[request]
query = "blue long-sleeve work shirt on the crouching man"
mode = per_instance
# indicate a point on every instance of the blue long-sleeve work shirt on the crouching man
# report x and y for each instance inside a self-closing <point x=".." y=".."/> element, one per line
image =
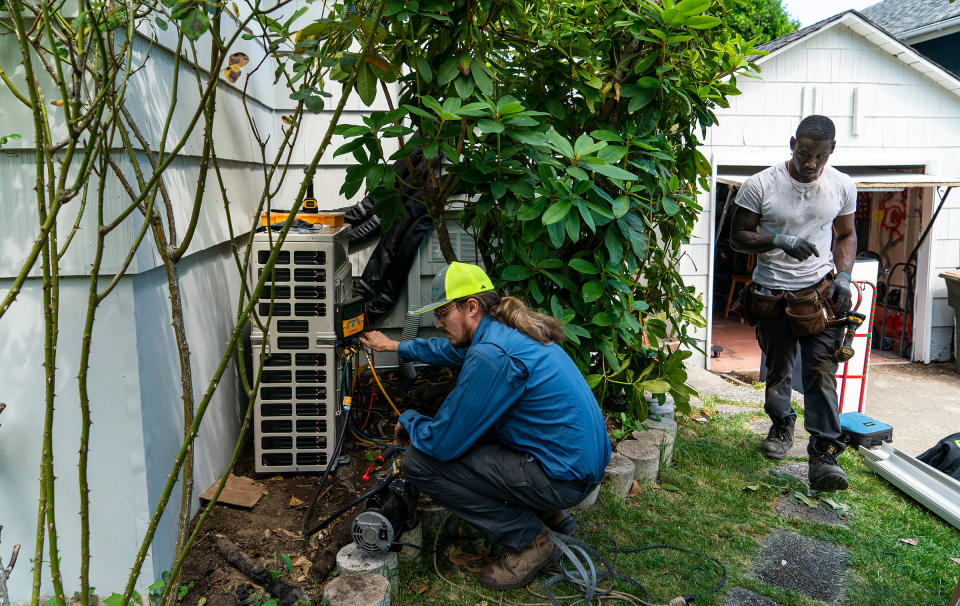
<point x="528" y="396"/>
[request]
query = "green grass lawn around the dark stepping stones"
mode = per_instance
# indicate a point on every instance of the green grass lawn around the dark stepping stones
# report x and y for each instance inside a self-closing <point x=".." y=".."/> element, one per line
<point x="709" y="510"/>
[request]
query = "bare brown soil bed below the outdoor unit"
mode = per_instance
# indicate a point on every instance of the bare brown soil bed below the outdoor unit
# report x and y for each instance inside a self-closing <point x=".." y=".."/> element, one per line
<point x="270" y="531"/>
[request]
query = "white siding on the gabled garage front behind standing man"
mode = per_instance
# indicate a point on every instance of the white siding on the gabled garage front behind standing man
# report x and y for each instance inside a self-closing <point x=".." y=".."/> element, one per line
<point x="887" y="114"/>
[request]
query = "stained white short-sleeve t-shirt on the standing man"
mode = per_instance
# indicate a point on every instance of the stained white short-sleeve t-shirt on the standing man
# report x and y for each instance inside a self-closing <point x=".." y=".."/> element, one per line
<point x="792" y="208"/>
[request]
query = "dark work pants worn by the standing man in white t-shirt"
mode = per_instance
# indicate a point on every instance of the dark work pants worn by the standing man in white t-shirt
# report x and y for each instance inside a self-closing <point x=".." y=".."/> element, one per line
<point x="780" y="347"/>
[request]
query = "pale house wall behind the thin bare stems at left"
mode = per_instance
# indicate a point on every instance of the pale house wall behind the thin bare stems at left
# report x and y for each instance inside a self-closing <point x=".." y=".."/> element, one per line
<point x="135" y="376"/>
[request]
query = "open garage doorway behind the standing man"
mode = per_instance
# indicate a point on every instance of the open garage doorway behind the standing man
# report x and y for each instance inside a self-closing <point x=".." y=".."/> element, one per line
<point x="894" y="207"/>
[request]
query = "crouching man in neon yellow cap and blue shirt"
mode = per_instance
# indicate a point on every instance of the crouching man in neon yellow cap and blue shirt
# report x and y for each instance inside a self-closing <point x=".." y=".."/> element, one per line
<point x="518" y="439"/>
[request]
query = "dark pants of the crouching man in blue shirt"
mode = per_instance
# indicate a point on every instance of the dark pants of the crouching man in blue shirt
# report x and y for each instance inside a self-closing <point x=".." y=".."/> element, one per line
<point x="495" y="489"/>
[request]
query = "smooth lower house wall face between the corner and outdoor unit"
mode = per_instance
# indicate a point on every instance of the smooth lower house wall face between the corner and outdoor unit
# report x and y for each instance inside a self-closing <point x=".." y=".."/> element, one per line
<point x="210" y="287"/>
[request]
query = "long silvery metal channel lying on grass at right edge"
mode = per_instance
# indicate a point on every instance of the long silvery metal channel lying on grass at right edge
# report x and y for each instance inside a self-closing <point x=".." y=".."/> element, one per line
<point x="932" y="488"/>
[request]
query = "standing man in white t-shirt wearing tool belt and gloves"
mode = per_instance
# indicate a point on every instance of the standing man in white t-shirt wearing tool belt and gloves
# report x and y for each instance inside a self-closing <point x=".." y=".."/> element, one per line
<point x="792" y="215"/>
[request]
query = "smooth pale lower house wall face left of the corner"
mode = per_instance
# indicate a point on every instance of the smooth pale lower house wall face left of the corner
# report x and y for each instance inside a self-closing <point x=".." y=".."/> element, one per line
<point x="118" y="487"/>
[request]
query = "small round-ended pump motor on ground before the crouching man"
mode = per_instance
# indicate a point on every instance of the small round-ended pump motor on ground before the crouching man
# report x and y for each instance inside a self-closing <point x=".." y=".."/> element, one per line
<point x="388" y="514"/>
